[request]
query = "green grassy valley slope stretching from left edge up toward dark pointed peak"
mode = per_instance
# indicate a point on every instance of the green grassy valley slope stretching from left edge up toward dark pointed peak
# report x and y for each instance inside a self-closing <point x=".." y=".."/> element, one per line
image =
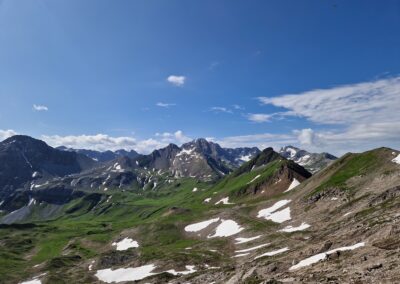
<point x="87" y="230"/>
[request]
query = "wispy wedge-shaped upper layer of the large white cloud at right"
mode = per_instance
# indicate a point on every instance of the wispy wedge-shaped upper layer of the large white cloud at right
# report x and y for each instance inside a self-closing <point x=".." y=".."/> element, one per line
<point x="363" y="102"/>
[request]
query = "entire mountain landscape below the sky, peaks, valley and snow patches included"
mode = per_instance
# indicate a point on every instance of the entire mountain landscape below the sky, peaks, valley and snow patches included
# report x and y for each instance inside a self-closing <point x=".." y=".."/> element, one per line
<point x="197" y="213"/>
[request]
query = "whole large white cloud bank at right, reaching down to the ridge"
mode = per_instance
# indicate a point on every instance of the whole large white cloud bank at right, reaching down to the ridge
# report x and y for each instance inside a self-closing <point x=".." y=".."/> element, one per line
<point x="354" y="117"/>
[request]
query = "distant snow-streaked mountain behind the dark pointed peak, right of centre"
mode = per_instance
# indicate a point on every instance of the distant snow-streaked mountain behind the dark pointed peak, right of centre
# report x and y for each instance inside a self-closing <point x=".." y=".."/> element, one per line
<point x="313" y="162"/>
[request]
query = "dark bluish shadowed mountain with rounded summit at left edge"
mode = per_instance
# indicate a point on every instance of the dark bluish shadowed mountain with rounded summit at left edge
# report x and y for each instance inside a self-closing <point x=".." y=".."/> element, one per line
<point x="24" y="159"/>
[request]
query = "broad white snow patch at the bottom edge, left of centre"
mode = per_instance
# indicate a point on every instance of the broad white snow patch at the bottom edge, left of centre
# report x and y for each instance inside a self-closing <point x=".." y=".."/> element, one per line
<point x="125" y="274"/>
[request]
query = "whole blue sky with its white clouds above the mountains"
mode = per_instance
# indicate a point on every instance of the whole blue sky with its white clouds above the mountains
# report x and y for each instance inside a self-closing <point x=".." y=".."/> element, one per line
<point x="323" y="75"/>
